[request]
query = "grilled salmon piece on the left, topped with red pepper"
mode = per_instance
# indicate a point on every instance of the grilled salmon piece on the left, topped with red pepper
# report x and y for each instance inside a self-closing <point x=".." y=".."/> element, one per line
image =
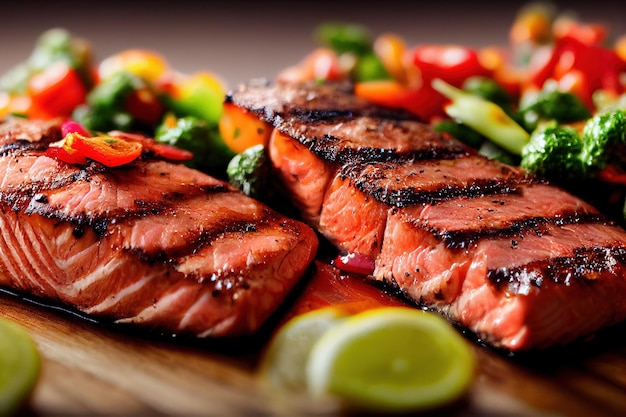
<point x="153" y="243"/>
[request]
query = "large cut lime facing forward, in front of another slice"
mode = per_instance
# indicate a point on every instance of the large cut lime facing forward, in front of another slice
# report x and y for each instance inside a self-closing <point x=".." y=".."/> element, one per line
<point x="391" y="359"/>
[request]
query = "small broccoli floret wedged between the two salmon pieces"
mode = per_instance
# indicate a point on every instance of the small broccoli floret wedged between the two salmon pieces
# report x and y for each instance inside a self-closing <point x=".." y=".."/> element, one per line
<point x="248" y="171"/>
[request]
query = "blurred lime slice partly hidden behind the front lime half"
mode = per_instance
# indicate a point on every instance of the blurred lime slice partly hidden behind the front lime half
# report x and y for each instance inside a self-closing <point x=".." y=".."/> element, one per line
<point x="283" y="363"/>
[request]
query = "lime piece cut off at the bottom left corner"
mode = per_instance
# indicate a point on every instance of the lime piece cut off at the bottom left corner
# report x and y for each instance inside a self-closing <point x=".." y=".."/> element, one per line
<point x="19" y="366"/>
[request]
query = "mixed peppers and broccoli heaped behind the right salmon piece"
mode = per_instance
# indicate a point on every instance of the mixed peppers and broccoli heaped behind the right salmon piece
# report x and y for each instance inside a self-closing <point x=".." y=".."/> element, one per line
<point x="551" y="100"/>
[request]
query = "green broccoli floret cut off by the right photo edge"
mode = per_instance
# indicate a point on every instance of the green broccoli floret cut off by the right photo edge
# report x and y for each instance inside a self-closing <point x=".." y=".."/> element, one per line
<point x="604" y="140"/>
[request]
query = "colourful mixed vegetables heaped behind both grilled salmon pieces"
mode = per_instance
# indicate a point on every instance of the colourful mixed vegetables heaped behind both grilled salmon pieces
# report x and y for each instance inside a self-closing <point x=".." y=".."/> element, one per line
<point x="552" y="99"/>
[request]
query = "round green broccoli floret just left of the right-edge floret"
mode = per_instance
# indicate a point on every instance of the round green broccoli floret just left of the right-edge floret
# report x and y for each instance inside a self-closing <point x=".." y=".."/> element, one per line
<point x="554" y="152"/>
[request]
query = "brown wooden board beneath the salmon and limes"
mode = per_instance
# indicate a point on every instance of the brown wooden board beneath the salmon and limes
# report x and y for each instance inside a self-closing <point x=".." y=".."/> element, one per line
<point x="92" y="369"/>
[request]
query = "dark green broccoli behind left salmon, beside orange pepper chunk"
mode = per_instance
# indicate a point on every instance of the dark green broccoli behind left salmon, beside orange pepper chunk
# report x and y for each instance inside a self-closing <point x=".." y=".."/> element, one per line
<point x="198" y="136"/>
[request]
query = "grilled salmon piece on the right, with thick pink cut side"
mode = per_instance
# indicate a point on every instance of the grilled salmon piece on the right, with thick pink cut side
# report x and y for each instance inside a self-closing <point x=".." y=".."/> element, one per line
<point x="519" y="262"/>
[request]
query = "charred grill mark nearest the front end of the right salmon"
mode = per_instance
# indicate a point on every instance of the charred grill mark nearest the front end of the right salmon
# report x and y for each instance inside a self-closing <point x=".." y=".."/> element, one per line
<point x="586" y="264"/>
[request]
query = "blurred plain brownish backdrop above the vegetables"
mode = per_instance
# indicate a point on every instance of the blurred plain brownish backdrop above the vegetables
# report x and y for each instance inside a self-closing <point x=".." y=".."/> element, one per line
<point x="241" y="40"/>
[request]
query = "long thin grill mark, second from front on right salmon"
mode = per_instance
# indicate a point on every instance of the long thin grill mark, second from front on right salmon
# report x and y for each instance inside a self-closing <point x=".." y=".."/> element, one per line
<point x="462" y="239"/>
